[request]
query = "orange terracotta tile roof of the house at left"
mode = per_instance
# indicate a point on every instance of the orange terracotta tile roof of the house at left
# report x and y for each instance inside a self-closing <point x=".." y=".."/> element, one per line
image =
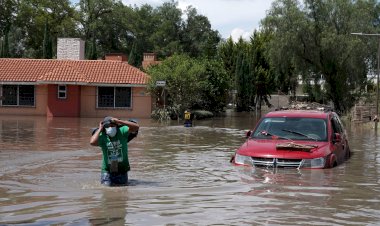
<point x="70" y="71"/>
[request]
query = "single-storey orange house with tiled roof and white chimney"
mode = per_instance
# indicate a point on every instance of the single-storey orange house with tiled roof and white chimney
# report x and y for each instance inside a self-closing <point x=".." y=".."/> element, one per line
<point x="73" y="87"/>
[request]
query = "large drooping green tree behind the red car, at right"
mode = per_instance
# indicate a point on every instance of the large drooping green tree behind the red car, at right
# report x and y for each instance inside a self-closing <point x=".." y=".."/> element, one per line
<point x="313" y="40"/>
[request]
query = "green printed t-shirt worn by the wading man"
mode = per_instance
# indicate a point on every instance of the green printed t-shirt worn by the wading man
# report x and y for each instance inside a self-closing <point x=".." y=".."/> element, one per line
<point x="117" y="150"/>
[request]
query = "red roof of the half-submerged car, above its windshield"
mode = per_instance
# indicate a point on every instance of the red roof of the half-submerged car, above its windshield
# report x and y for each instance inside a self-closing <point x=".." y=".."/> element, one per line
<point x="298" y="113"/>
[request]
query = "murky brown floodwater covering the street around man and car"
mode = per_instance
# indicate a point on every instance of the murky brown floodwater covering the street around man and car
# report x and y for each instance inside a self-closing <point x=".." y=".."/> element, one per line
<point x="49" y="175"/>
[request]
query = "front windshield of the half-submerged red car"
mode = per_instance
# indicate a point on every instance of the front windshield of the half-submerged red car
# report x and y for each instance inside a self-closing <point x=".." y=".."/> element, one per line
<point x="292" y="129"/>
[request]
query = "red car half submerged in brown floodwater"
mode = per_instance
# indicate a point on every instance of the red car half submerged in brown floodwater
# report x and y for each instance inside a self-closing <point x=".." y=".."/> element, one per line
<point x="295" y="139"/>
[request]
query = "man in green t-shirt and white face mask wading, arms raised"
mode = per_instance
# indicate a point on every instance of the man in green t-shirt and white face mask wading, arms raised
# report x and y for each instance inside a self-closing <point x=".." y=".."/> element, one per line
<point x="112" y="137"/>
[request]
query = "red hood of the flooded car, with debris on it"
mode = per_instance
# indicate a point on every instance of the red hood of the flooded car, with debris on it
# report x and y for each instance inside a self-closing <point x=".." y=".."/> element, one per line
<point x="269" y="149"/>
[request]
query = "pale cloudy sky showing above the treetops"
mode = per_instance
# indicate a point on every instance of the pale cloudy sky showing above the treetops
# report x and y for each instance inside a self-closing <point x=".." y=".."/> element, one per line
<point x="230" y="17"/>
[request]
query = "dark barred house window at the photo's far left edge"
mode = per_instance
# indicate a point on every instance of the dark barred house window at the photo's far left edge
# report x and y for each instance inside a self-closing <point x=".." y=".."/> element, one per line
<point x="18" y="95"/>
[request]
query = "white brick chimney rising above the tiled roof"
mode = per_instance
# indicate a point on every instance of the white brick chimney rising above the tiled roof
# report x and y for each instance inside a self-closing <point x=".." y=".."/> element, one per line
<point x="70" y="49"/>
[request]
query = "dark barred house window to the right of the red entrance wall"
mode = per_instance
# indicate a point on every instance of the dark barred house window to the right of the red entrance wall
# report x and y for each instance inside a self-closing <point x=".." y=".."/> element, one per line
<point x="114" y="97"/>
